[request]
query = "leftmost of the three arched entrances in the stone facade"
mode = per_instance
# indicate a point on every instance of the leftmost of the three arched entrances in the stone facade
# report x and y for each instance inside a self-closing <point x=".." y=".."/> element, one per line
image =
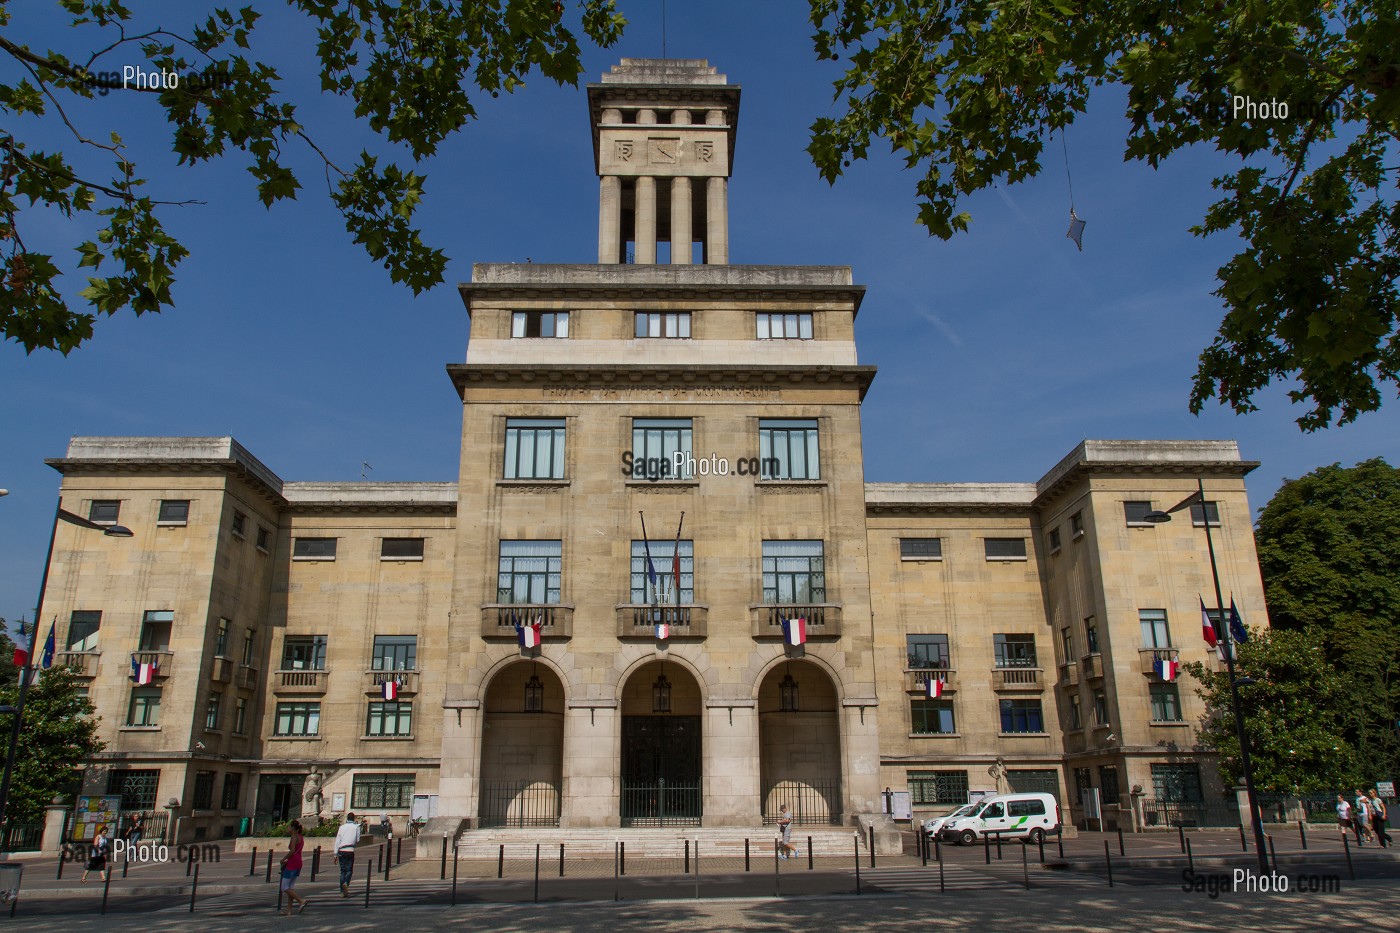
<point x="523" y="747"/>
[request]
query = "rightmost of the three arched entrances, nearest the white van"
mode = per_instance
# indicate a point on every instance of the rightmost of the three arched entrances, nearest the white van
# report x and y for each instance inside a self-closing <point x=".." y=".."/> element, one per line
<point x="801" y="745"/>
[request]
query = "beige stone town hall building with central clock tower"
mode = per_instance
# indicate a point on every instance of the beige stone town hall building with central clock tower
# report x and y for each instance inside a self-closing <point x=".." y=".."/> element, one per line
<point x="275" y="611"/>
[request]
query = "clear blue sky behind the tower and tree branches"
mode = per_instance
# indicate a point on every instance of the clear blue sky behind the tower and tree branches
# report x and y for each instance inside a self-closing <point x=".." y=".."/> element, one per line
<point x="999" y="351"/>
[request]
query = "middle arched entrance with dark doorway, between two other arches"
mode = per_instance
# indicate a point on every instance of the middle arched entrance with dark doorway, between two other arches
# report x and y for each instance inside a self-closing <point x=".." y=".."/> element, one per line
<point x="661" y="761"/>
